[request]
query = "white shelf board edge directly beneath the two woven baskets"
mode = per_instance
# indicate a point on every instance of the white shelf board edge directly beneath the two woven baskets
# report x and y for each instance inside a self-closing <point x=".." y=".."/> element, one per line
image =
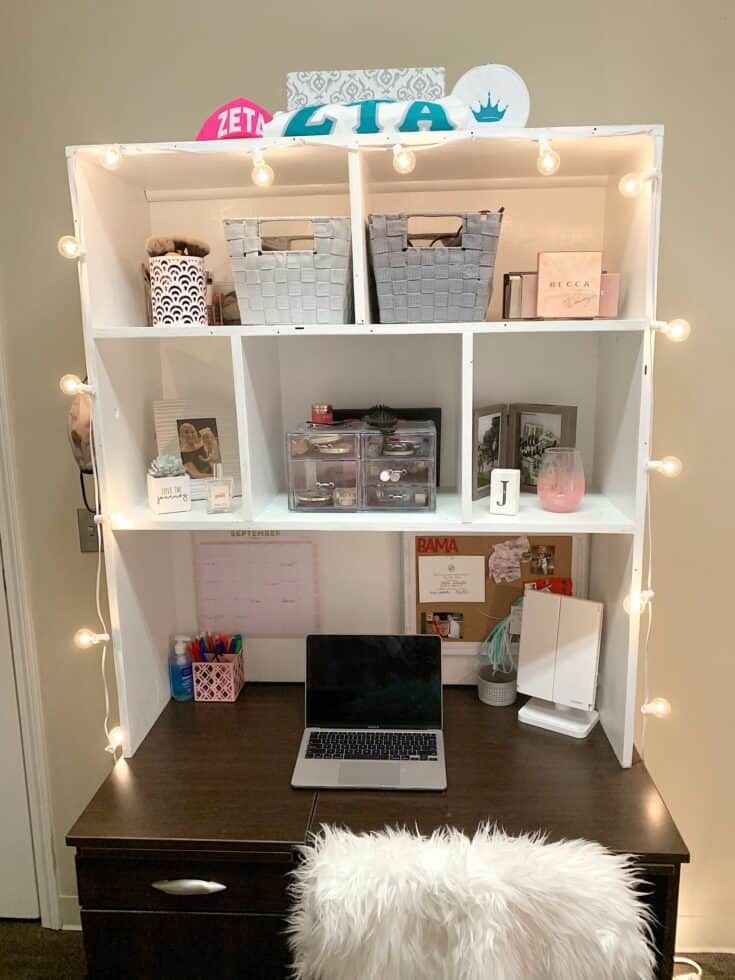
<point x="369" y="329"/>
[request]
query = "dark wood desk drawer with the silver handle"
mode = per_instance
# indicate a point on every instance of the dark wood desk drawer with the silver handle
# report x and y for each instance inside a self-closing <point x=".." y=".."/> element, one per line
<point x="185" y="883"/>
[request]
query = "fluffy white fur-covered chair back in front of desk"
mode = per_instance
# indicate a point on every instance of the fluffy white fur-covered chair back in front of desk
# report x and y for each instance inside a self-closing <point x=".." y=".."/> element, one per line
<point x="396" y="906"/>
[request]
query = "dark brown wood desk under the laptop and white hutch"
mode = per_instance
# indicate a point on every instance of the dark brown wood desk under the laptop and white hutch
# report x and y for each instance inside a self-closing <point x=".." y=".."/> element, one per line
<point x="207" y="796"/>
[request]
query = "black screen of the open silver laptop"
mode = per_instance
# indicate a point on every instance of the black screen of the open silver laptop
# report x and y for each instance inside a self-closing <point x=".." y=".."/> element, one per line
<point x="373" y="682"/>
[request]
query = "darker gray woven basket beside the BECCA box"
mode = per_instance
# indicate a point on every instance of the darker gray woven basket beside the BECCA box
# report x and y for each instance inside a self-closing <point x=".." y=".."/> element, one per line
<point x="438" y="284"/>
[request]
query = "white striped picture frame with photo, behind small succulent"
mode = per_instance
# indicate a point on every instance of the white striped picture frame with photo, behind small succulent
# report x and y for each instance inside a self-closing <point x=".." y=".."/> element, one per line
<point x="201" y="432"/>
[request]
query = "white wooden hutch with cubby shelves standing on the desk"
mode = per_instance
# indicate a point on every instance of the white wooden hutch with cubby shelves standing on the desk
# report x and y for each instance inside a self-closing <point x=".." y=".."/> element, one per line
<point x="273" y="374"/>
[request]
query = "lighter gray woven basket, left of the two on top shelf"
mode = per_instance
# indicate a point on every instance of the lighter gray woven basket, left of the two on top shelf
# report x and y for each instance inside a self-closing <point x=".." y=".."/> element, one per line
<point x="288" y="287"/>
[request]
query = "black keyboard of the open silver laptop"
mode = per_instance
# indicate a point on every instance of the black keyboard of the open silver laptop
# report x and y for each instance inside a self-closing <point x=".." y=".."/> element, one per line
<point x="391" y="746"/>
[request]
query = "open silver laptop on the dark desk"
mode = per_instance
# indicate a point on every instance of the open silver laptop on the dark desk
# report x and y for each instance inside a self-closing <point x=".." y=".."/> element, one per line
<point x="373" y="713"/>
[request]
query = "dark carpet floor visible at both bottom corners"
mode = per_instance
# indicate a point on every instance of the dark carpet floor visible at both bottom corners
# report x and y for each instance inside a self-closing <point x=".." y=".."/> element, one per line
<point x="28" y="952"/>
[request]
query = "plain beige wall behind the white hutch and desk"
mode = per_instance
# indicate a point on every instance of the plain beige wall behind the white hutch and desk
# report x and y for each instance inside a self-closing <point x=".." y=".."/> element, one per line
<point x="92" y="72"/>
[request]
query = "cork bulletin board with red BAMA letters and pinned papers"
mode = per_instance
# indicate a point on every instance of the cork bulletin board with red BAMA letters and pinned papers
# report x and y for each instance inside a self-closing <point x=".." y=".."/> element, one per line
<point x="450" y="588"/>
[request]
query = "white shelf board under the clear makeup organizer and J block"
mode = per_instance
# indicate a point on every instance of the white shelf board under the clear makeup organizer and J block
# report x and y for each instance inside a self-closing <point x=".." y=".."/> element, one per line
<point x="597" y="515"/>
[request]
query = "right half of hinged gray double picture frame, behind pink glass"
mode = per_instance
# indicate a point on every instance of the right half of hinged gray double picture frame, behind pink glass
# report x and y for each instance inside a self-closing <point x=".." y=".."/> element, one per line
<point x="534" y="429"/>
